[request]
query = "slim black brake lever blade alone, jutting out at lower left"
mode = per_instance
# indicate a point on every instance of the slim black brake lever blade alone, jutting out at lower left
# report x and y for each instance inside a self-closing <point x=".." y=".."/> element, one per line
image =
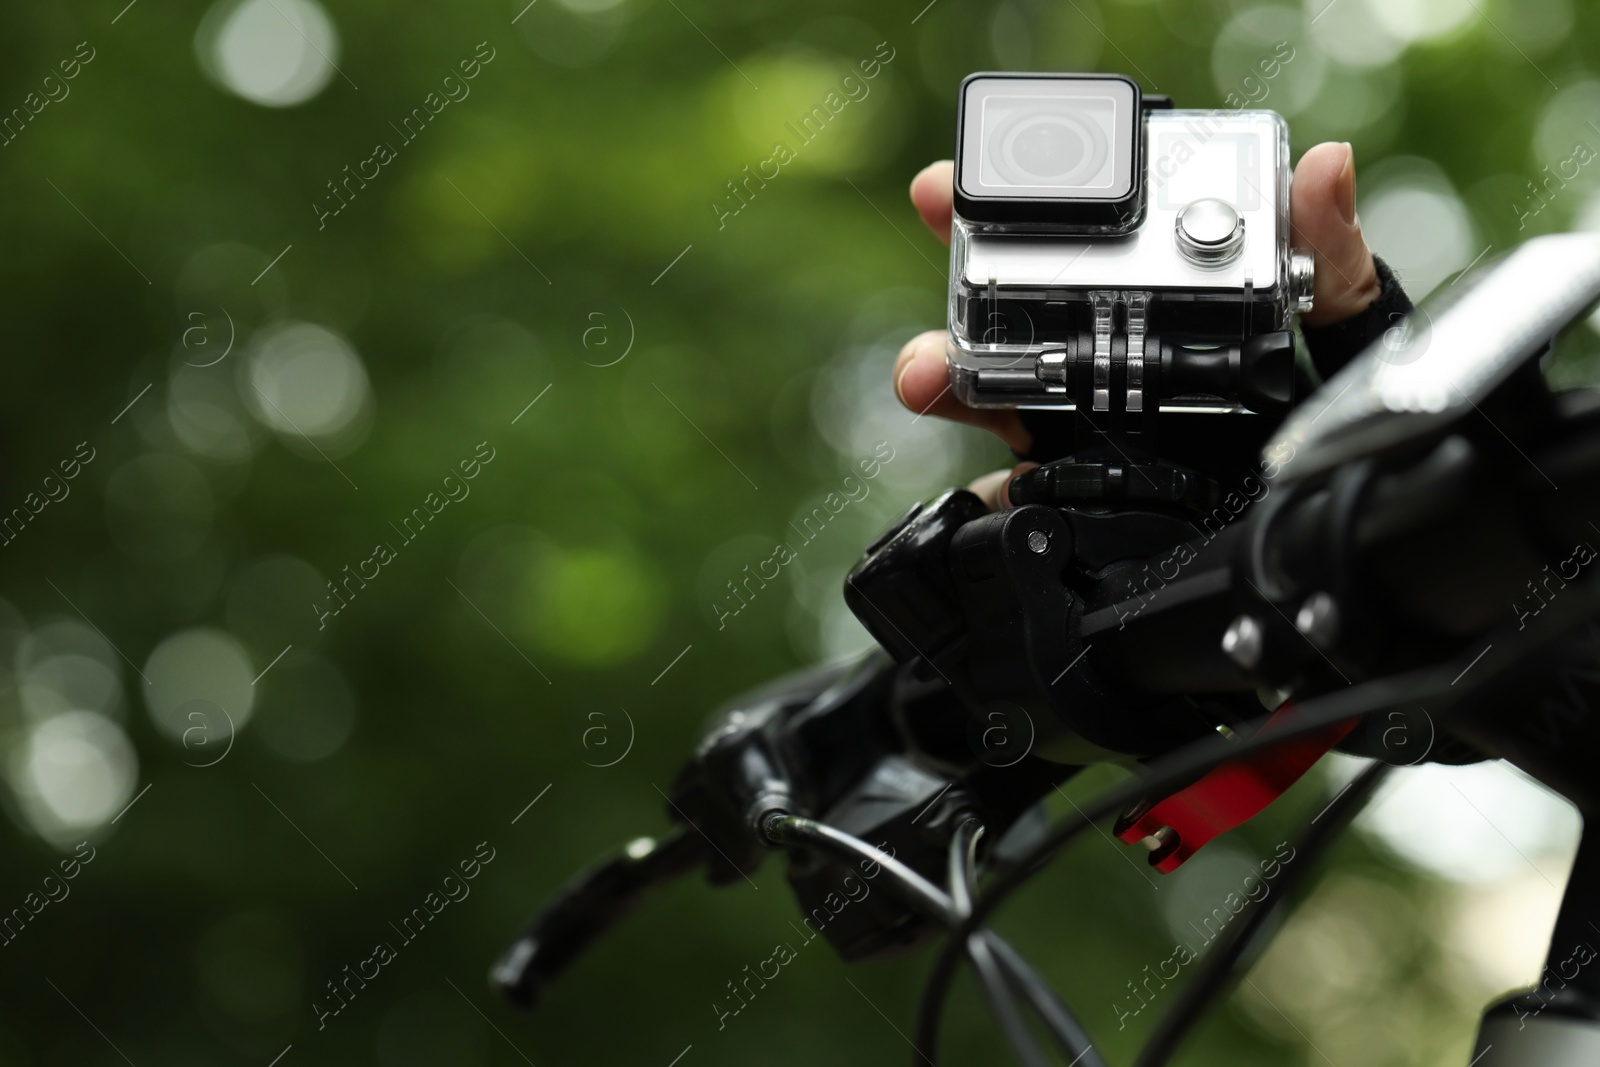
<point x="586" y="908"/>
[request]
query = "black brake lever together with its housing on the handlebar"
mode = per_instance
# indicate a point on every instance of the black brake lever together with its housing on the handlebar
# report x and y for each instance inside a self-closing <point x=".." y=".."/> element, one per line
<point x="820" y="745"/>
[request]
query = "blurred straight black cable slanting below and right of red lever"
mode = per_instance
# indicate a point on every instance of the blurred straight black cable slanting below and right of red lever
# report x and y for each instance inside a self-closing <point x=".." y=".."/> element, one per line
<point x="1217" y="972"/>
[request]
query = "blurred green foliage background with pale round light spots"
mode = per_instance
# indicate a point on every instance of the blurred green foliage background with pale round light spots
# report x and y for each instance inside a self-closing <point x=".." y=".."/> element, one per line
<point x="268" y="390"/>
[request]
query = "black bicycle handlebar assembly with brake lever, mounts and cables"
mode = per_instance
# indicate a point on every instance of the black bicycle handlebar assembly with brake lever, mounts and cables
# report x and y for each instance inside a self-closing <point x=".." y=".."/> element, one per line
<point x="1367" y="578"/>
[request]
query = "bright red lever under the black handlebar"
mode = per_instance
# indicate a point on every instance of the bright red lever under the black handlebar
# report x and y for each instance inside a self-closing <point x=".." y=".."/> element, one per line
<point x="1228" y="796"/>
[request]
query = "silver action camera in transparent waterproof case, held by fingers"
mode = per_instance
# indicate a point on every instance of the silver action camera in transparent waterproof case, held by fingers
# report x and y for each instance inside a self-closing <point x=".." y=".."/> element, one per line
<point x="1113" y="254"/>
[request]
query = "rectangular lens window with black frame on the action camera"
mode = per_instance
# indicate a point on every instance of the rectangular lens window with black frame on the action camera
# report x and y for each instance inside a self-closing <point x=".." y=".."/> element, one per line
<point x="1049" y="138"/>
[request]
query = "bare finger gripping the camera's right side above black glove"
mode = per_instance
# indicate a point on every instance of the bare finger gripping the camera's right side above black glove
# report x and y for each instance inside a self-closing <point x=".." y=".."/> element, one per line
<point x="1322" y="215"/>
